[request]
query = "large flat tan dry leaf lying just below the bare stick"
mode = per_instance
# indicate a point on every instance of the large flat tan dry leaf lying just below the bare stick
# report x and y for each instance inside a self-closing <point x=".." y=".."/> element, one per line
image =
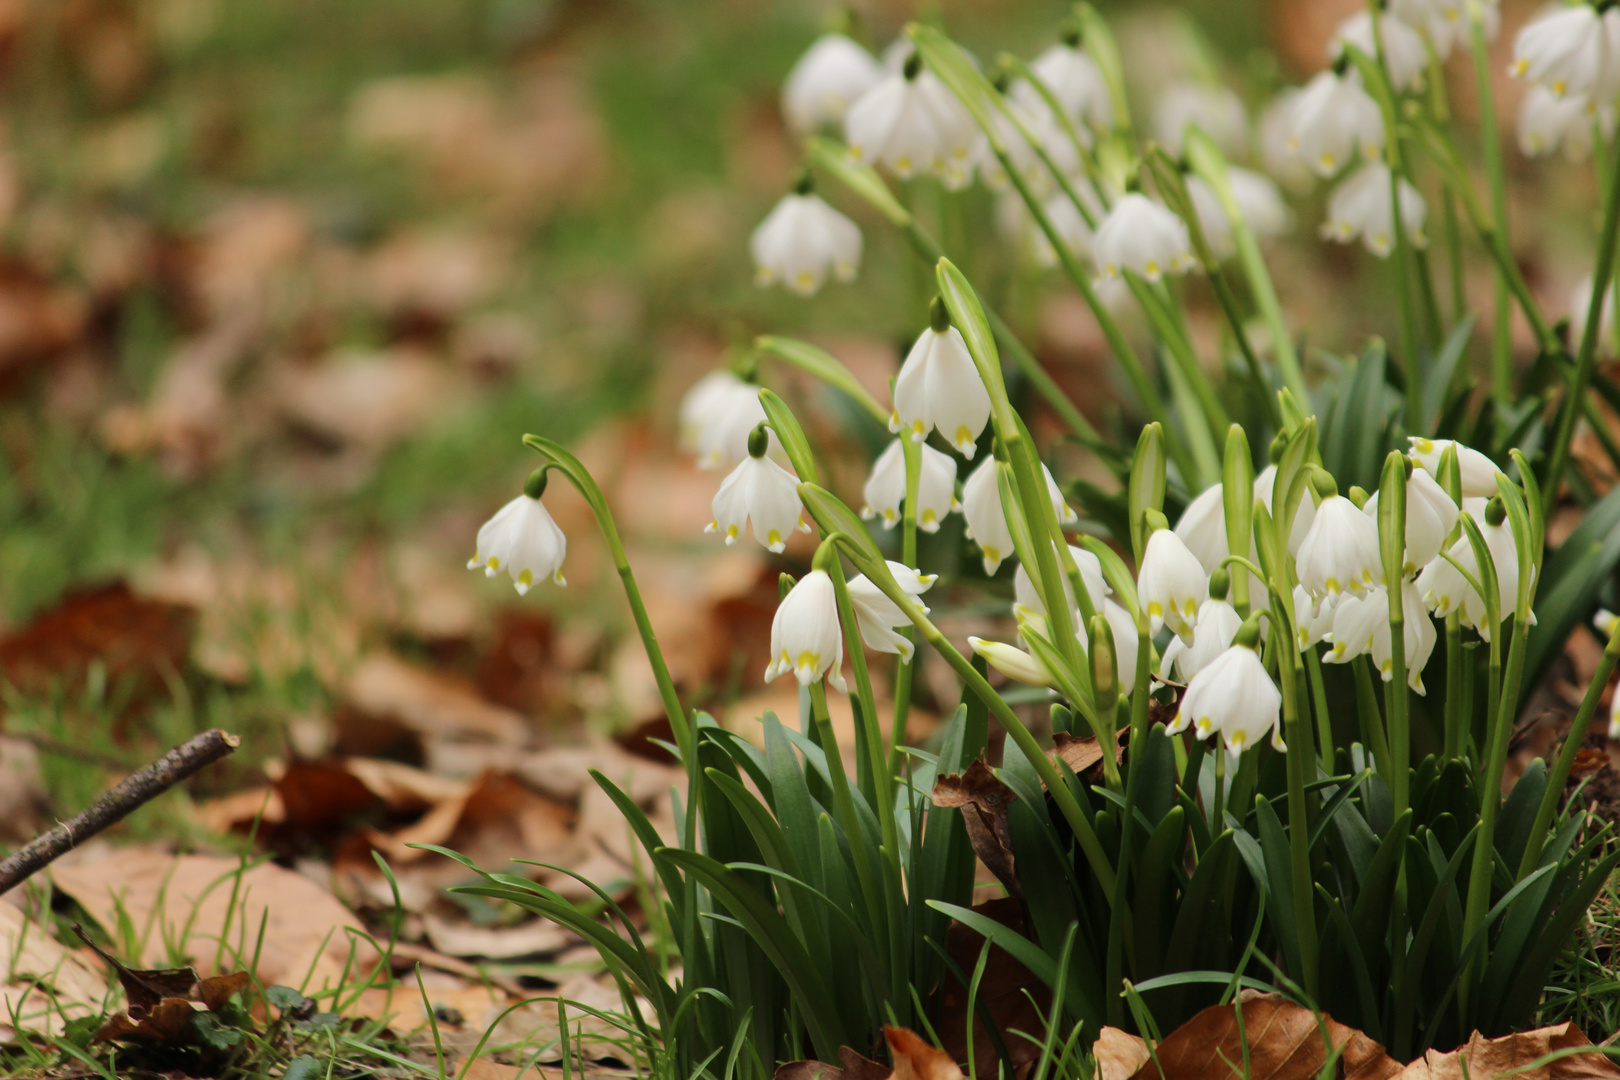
<point x="305" y="927"/>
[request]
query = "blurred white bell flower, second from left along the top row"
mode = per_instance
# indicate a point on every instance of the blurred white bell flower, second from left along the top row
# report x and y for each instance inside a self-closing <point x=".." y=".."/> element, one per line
<point x="911" y="127"/>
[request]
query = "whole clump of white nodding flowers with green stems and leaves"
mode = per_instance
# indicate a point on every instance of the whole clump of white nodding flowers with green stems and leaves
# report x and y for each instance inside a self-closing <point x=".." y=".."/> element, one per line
<point x="1292" y="631"/>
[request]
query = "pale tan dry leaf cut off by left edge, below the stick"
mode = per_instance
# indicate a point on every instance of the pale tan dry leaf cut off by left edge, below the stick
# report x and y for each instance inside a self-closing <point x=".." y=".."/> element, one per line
<point x="28" y="955"/>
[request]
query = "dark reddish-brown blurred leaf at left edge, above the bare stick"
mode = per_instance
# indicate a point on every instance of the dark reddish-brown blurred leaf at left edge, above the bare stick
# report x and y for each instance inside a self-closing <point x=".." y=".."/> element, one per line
<point x="132" y="637"/>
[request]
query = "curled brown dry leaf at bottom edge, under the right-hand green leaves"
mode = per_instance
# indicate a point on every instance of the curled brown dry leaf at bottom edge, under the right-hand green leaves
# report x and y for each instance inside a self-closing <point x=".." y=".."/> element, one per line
<point x="1284" y="1045"/>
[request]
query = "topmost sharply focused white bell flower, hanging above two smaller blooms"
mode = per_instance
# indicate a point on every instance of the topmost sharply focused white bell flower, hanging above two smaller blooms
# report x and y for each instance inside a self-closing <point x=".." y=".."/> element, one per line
<point x="940" y="388"/>
